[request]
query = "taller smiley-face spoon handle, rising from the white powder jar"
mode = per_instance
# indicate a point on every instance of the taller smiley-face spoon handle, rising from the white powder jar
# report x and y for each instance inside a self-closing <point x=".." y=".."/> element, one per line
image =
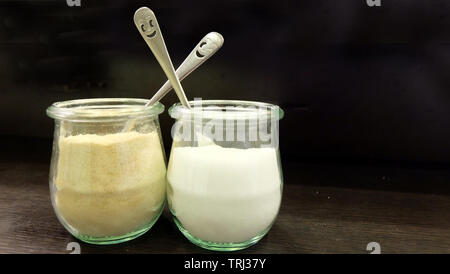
<point x="146" y="23"/>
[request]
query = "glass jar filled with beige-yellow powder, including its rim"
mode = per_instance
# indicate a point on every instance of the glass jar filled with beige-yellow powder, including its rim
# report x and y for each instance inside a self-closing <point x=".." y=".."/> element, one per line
<point x="108" y="168"/>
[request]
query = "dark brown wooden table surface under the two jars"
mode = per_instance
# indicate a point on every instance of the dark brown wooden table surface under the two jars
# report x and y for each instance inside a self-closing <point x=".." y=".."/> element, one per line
<point x="312" y="219"/>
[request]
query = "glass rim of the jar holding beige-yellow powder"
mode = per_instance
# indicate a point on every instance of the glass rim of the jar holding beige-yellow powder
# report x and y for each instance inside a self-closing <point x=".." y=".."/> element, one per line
<point x="103" y="109"/>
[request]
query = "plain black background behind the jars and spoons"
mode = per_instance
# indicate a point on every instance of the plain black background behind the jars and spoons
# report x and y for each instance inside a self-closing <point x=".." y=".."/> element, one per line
<point x="365" y="86"/>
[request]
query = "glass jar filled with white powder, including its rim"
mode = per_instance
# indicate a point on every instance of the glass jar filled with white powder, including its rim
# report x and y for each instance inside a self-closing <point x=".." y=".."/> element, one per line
<point x="224" y="173"/>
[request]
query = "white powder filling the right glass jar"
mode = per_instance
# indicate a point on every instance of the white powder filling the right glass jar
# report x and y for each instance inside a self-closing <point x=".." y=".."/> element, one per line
<point x="224" y="195"/>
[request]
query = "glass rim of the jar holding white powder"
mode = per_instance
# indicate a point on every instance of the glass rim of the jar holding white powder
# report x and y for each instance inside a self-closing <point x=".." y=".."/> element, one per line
<point x="226" y="109"/>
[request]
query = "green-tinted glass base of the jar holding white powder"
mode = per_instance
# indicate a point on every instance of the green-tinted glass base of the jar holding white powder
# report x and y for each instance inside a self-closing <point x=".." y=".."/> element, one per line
<point x="219" y="246"/>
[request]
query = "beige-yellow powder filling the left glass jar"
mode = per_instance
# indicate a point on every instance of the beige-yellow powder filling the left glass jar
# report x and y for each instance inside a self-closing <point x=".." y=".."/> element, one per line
<point x="110" y="185"/>
